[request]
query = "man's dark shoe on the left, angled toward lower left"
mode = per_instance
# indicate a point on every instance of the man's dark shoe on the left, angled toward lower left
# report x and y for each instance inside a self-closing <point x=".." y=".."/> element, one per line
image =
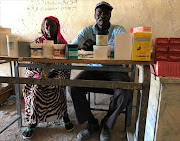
<point x="86" y="133"/>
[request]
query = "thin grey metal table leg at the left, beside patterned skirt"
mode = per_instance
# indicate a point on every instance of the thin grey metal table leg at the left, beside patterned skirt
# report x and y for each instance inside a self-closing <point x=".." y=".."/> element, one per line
<point x="18" y="95"/>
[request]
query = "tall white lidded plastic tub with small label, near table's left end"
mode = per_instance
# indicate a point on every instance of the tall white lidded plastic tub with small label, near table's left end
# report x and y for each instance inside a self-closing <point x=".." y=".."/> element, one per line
<point x="12" y="45"/>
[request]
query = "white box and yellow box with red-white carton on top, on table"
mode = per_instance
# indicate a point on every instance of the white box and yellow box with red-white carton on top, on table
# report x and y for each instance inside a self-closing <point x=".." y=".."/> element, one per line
<point x="135" y="46"/>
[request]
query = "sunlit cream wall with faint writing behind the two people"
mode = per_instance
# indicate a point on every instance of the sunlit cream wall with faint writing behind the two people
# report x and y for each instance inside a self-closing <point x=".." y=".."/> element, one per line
<point x="25" y="16"/>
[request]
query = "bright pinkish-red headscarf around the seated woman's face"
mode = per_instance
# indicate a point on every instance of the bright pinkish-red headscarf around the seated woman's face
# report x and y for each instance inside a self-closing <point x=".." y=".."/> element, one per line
<point x="61" y="38"/>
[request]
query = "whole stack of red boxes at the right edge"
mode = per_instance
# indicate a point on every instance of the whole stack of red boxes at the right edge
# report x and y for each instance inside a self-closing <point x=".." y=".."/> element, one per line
<point x="167" y="57"/>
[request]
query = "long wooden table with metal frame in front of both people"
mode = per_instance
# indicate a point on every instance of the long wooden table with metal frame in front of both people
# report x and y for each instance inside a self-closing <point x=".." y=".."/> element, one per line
<point x="47" y="64"/>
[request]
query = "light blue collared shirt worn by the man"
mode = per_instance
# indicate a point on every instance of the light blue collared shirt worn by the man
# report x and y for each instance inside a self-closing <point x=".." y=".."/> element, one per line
<point x="89" y="32"/>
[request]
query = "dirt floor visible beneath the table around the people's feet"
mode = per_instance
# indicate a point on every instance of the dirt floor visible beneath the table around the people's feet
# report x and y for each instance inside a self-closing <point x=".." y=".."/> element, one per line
<point x="52" y="131"/>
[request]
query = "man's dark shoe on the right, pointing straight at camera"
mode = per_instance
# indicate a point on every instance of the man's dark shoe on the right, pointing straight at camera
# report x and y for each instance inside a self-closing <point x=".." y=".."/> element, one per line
<point x="105" y="134"/>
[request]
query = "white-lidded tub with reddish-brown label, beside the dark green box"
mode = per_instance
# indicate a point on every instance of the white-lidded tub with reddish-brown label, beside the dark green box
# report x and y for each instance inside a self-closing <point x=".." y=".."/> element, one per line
<point x="59" y="51"/>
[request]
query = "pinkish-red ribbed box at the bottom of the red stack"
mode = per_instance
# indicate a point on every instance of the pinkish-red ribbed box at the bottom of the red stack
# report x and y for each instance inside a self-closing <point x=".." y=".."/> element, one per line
<point x="164" y="68"/>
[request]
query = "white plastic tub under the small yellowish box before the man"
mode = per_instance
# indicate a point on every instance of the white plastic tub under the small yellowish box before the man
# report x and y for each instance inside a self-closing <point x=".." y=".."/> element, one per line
<point x="101" y="52"/>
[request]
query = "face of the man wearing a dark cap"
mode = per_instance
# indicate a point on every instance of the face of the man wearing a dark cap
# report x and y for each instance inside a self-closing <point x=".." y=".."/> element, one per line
<point x="102" y="16"/>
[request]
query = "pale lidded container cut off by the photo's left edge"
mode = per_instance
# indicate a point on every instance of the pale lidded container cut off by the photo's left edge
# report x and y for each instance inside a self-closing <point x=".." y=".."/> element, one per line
<point x="3" y="40"/>
